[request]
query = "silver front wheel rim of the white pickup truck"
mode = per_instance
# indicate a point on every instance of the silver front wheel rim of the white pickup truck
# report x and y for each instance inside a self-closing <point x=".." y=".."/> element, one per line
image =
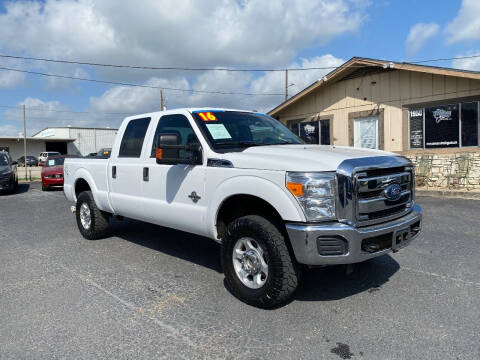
<point x="249" y="263"/>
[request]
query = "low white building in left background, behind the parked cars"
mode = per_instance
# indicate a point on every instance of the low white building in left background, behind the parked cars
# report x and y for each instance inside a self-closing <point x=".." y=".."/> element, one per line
<point x="65" y="140"/>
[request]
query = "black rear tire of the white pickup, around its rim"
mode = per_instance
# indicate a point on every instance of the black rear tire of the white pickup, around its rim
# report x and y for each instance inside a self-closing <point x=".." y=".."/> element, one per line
<point x="100" y="220"/>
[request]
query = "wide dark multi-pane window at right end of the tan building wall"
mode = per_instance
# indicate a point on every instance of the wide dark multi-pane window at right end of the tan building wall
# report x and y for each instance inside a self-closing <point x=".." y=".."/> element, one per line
<point x="444" y="126"/>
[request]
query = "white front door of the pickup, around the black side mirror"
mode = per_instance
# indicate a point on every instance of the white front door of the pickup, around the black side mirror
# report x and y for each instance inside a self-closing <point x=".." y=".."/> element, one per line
<point x="174" y="195"/>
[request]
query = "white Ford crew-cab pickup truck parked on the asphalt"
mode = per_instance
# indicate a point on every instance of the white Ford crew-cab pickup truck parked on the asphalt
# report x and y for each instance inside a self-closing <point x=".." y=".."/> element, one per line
<point x="243" y="179"/>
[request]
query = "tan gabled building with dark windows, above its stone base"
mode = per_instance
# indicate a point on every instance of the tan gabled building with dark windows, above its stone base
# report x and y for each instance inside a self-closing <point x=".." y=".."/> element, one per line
<point x="387" y="105"/>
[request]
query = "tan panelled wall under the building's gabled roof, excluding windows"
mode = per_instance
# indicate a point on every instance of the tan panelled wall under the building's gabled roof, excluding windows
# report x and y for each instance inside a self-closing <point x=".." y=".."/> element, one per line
<point x="393" y="91"/>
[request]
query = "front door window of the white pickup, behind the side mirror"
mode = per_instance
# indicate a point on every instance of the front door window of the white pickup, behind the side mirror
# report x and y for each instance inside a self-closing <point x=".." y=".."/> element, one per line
<point x="175" y="124"/>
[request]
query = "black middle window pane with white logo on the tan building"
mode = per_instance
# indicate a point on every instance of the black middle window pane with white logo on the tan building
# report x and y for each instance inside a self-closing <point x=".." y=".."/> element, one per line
<point x="442" y="126"/>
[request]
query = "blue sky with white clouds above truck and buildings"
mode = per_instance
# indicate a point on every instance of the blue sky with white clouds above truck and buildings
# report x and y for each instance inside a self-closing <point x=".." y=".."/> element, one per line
<point x="240" y="34"/>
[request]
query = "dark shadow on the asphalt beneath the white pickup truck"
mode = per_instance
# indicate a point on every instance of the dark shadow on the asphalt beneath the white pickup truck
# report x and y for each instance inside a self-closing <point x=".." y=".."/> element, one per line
<point x="319" y="284"/>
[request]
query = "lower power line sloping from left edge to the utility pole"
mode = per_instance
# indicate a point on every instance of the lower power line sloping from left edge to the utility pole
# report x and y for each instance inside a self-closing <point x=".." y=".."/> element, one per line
<point x="139" y="85"/>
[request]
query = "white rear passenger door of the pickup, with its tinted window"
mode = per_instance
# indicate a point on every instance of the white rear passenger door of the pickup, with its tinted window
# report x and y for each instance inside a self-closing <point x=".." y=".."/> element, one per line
<point x="125" y="170"/>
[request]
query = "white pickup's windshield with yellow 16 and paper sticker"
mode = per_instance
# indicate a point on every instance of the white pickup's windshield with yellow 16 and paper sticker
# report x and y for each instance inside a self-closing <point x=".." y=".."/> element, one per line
<point x="242" y="129"/>
